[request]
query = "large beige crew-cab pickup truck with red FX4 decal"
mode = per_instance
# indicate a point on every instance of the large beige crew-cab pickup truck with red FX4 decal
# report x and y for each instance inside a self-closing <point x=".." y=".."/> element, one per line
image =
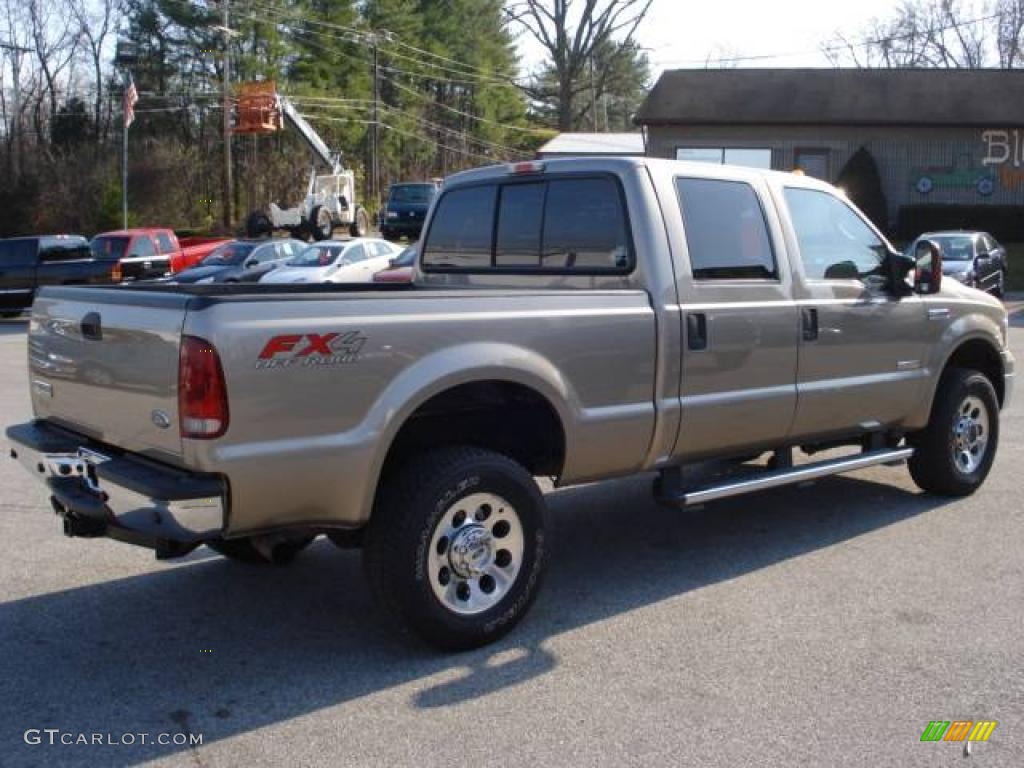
<point x="580" y="320"/>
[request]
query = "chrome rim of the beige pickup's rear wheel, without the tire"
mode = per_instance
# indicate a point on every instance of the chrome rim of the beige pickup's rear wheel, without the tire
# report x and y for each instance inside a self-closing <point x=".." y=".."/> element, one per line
<point x="476" y="553"/>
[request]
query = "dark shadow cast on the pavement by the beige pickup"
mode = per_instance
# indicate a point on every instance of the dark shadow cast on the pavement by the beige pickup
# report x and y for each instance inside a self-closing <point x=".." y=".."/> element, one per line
<point x="219" y="649"/>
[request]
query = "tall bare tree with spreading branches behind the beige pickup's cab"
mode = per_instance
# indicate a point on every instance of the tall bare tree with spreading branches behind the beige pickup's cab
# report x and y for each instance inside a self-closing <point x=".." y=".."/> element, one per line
<point x="571" y="33"/>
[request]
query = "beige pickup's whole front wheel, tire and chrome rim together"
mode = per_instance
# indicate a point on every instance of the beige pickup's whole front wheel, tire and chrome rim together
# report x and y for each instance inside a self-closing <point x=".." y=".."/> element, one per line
<point x="954" y="454"/>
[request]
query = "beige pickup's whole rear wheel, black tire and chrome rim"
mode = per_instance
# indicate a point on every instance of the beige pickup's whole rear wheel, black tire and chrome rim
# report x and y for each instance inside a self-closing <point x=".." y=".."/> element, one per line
<point x="456" y="546"/>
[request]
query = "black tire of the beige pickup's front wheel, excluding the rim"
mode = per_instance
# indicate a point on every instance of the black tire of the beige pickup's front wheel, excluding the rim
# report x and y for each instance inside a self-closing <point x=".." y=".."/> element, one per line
<point x="933" y="465"/>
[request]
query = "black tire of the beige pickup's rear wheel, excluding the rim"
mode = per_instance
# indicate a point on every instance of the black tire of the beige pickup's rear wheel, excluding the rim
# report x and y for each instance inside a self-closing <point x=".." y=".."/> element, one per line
<point x="413" y="502"/>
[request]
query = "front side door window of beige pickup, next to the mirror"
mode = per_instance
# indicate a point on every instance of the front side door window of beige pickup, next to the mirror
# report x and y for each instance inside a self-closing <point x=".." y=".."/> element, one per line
<point x="835" y="242"/>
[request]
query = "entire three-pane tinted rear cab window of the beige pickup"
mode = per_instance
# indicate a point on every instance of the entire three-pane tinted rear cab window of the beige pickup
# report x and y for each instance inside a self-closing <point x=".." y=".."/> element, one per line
<point x="563" y="225"/>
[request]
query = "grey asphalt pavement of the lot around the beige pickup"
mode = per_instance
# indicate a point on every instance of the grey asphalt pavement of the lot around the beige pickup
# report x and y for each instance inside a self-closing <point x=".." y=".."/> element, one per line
<point x="821" y="626"/>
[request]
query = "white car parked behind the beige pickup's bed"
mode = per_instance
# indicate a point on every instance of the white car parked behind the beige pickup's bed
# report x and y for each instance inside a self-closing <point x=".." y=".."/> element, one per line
<point x="336" y="262"/>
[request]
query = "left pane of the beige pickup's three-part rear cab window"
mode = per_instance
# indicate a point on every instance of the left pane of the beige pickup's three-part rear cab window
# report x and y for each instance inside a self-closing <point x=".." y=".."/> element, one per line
<point x="460" y="234"/>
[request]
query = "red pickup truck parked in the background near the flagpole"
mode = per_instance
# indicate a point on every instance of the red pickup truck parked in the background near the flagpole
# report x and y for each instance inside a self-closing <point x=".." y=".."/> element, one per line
<point x="145" y="253"/>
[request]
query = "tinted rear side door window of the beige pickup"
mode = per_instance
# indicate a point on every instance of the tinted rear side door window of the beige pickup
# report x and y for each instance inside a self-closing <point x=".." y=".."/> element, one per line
<point x="727" y="232"/>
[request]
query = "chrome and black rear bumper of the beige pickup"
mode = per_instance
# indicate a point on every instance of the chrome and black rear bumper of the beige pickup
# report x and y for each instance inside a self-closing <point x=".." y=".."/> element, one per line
<point x="123" y="497"/>
